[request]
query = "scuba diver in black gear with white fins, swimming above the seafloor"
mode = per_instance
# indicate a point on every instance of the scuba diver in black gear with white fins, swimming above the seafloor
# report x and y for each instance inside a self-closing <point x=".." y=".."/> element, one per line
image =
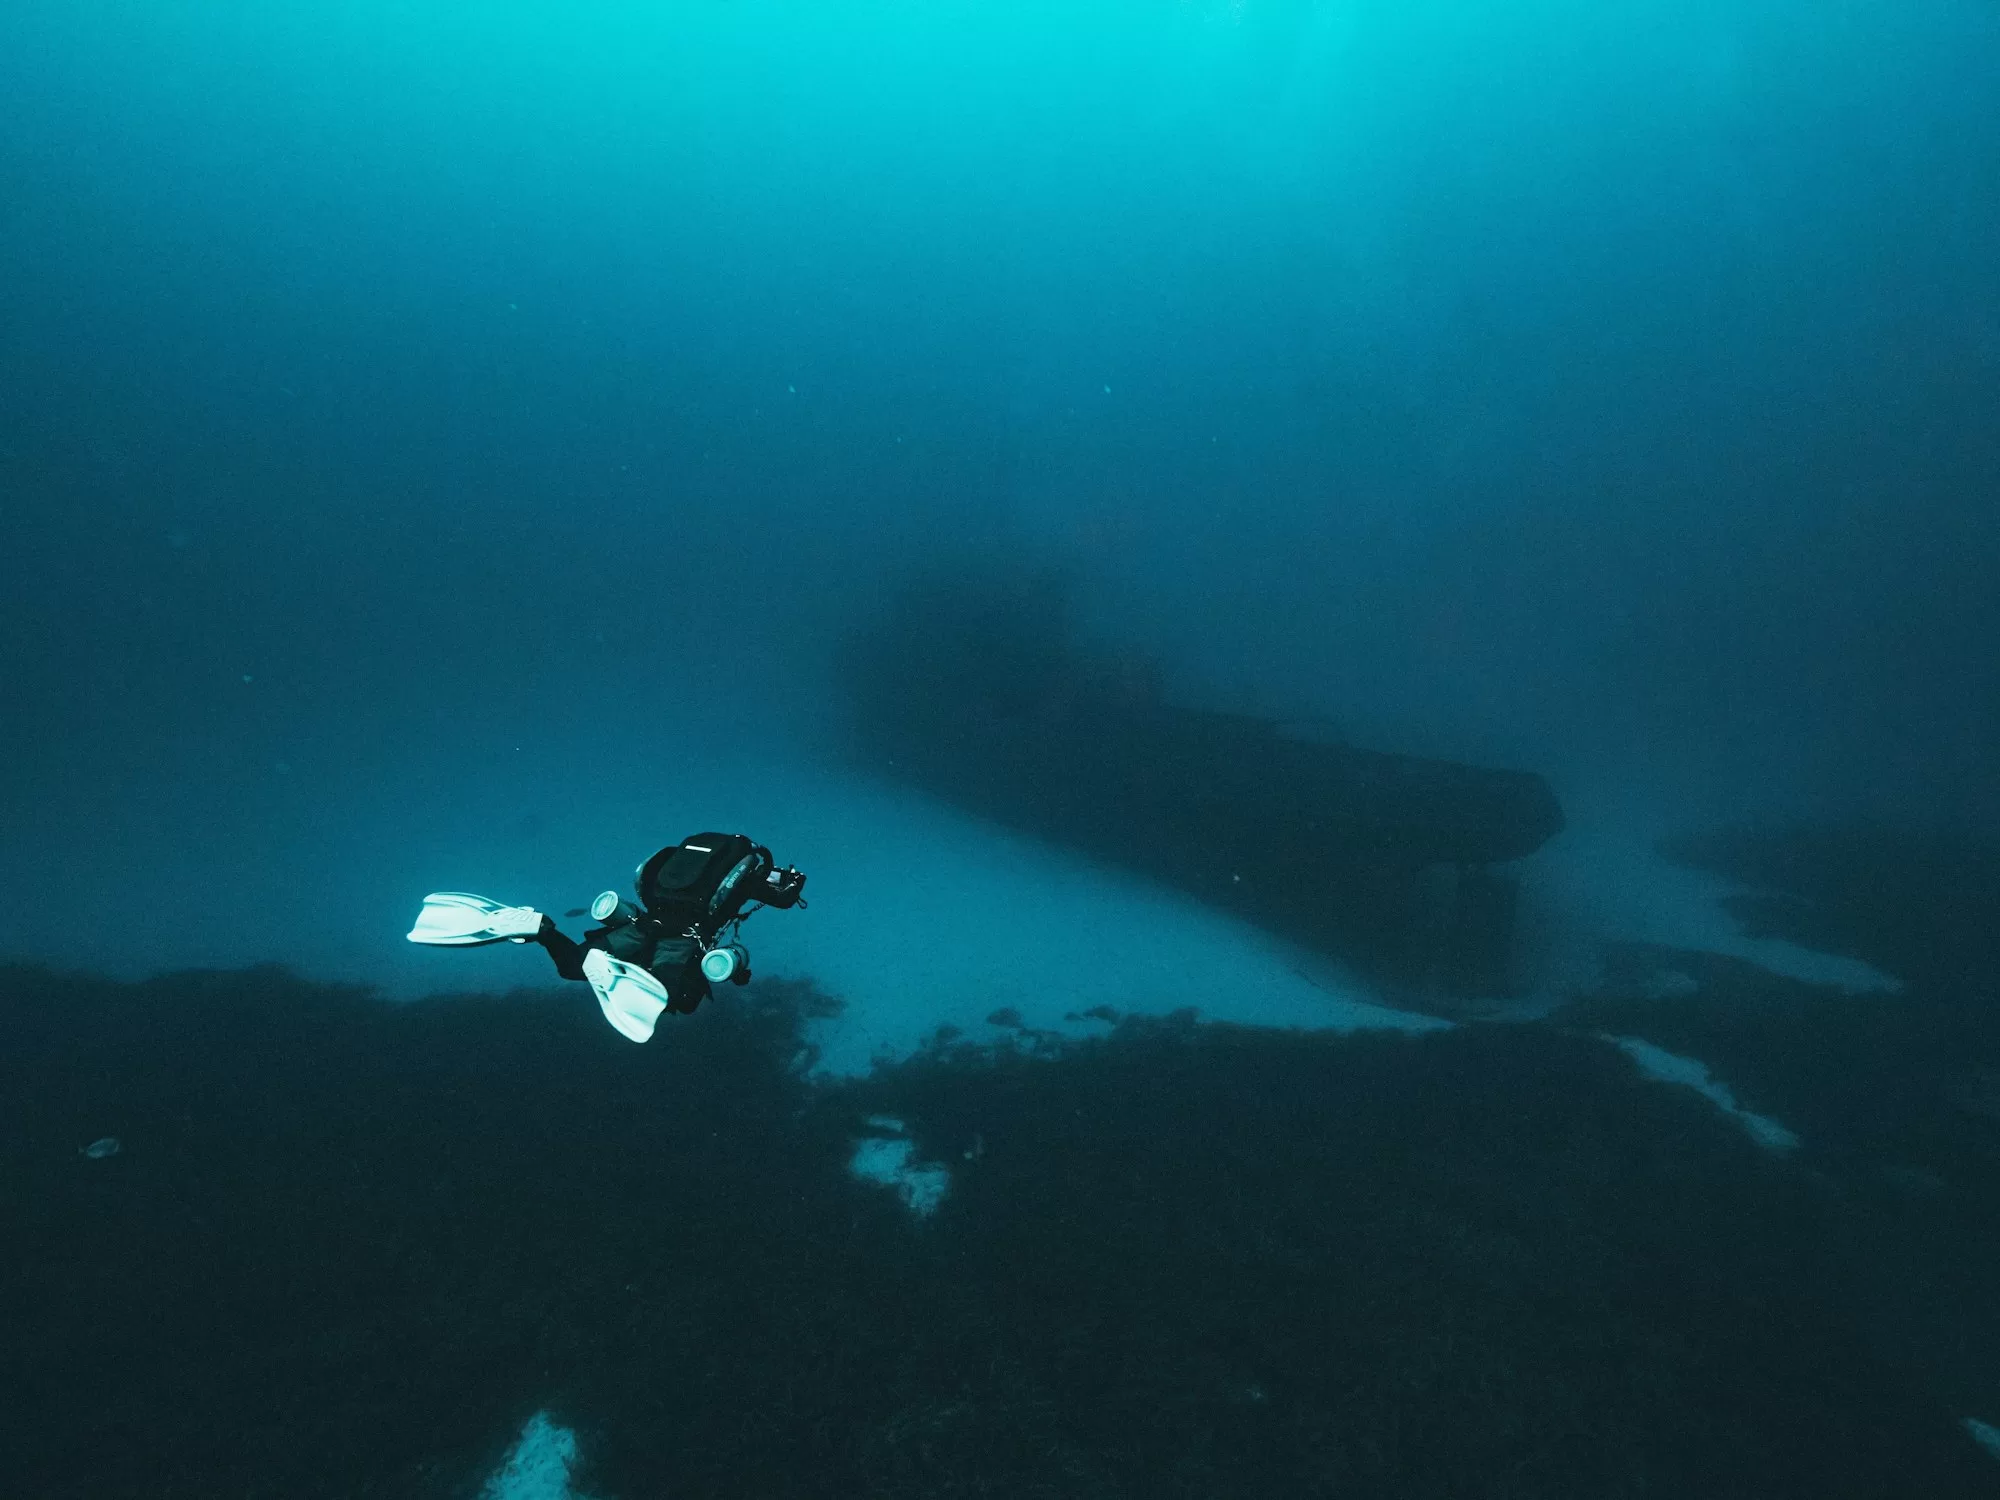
<point x="651" y="957"/>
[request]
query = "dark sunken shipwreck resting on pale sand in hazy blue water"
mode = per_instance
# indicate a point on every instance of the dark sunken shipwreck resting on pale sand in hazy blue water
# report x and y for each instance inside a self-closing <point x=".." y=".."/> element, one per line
<point x="977" y="693"/>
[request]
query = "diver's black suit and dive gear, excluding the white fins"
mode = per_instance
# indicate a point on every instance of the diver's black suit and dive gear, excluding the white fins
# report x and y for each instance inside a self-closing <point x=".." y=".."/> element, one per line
<point x="691" y="891"/>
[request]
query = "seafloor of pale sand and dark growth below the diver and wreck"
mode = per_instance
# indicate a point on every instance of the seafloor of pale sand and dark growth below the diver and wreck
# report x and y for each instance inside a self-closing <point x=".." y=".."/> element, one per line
<point x="1707" y="1211"/>
